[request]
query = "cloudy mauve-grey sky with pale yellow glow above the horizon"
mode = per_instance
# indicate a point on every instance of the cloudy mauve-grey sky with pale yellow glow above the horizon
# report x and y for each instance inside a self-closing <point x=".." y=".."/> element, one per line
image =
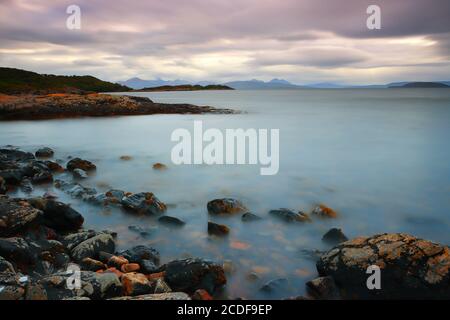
<point x="302" y="41"/>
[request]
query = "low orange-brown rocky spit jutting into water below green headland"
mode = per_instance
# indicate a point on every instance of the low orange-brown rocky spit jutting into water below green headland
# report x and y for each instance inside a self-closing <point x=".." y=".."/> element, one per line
<point x="53" y="106"/>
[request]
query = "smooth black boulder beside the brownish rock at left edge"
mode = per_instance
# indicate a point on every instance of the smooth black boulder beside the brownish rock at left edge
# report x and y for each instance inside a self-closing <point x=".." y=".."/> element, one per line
<point x="58" y="215"/>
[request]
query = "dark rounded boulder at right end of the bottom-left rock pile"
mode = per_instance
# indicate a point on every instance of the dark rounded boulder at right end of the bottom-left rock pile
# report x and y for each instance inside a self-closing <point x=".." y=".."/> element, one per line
<point x="189" y="275"/>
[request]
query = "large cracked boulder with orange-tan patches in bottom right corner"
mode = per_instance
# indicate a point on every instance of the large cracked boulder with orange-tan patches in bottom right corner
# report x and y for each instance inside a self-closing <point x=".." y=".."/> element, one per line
<point x="410" y="267"/>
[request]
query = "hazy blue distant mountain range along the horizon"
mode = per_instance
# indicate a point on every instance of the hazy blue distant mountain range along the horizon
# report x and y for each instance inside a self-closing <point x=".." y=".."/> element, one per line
<point x="254" y="84"/>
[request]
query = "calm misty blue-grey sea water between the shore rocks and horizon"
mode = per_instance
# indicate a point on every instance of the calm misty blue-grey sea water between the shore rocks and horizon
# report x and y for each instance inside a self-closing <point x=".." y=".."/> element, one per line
<point x="381" y="158"/>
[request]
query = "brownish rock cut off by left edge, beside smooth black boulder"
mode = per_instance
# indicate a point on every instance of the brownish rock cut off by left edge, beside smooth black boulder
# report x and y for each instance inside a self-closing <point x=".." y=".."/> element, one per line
<point x="16" y="215"/>
